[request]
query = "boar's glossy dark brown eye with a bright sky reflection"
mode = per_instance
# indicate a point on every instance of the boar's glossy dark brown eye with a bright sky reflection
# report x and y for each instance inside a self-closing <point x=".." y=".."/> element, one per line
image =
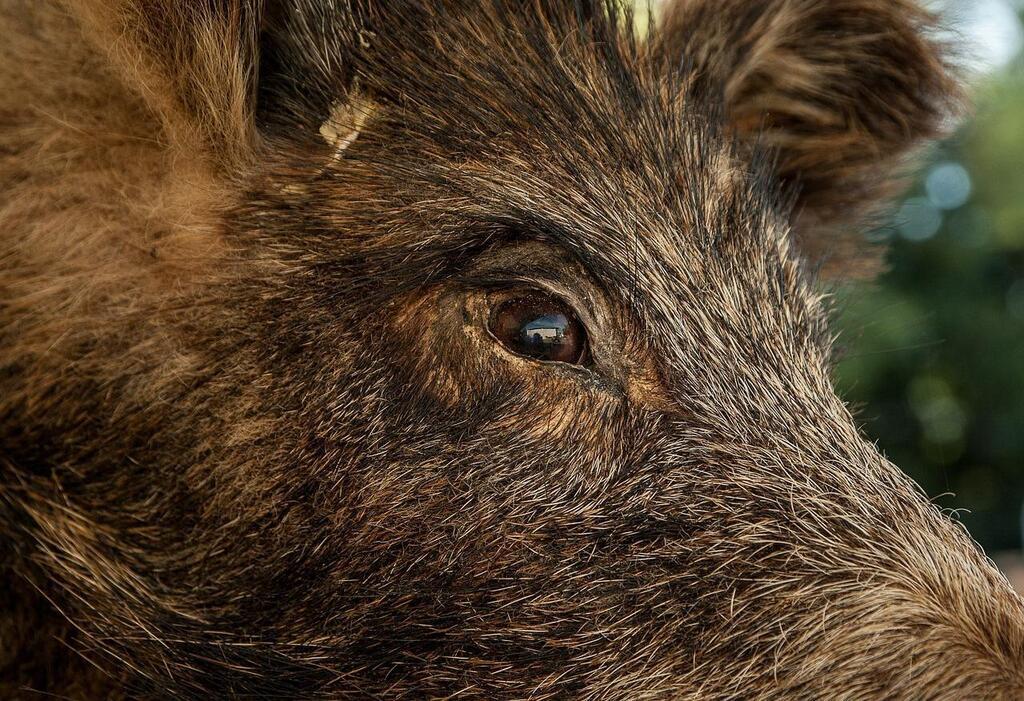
<point x="540" y="327"/>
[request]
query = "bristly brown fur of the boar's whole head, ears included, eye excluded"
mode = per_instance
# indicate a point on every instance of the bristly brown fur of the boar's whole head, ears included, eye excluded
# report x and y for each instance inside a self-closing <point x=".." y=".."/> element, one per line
<point x="259" y="444"/>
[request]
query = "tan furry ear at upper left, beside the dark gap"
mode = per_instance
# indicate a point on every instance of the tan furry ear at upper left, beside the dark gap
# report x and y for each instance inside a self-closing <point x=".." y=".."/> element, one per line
<point x="191" y="62"/>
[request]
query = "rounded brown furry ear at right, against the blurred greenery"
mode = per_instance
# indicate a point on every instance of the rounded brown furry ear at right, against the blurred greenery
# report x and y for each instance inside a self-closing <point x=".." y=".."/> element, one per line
<point x="843" y="90"/>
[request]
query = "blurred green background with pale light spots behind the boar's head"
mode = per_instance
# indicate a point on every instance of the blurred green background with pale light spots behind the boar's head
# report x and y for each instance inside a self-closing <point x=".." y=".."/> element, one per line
<point x="932" y="354"/>
